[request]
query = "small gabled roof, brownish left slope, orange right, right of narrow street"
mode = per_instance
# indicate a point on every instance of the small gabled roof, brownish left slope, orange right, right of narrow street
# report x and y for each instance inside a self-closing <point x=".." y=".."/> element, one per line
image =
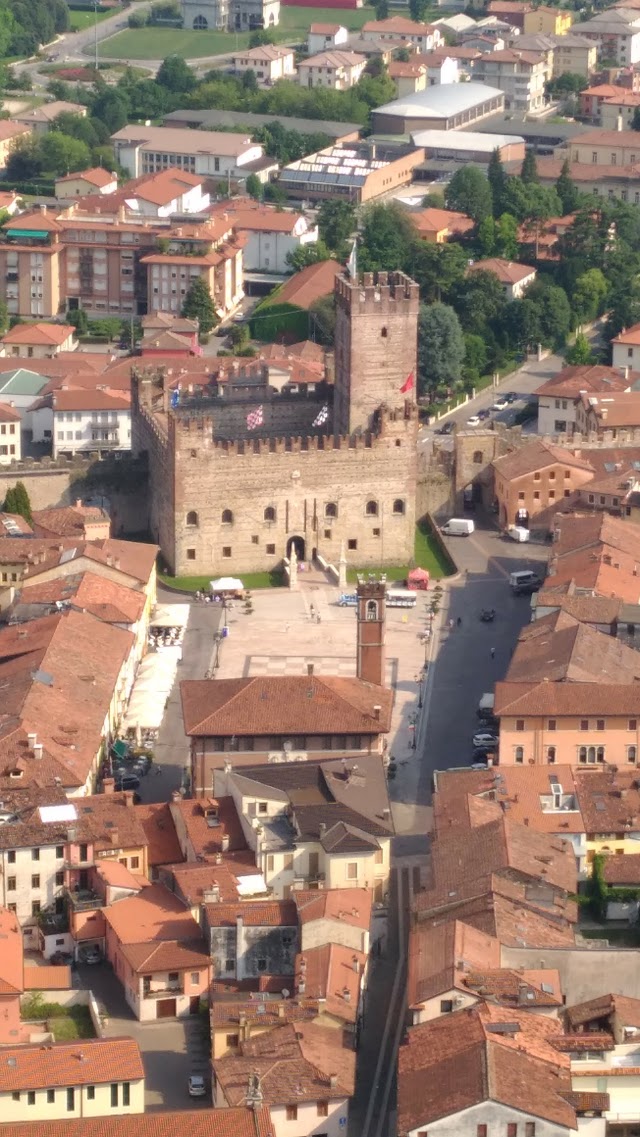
<point x="442" y="956"/>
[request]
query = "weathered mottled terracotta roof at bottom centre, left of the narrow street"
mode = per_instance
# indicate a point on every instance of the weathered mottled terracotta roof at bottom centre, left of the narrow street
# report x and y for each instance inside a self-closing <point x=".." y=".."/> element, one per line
<point x="295" y="1064"/>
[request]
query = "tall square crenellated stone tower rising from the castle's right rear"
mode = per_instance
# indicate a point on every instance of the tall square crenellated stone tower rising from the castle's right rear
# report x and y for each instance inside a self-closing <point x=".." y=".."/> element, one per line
<point x="376" y="346"/>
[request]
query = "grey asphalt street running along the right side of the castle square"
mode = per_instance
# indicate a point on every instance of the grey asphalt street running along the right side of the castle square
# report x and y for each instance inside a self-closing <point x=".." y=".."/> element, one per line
<point x="463" y="666"/>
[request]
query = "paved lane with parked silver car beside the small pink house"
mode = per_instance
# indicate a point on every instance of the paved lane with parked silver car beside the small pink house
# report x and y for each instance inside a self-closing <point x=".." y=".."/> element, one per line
<point x="171" y="1049"/>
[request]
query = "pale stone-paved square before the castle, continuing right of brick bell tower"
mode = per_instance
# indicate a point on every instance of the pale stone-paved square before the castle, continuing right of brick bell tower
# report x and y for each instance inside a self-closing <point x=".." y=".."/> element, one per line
<point x="280" y="638"/>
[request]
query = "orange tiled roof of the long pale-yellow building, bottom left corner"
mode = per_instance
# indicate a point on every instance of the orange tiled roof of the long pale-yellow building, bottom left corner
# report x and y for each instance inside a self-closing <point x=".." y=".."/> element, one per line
<point x="85" y="1063"/>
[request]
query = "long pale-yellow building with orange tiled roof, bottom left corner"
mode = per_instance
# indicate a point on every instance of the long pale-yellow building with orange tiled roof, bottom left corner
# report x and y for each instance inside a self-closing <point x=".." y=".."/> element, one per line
<point x="89" y="1078"/>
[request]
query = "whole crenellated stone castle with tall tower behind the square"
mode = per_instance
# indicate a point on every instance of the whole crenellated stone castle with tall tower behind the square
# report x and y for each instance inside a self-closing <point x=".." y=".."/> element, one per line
<point x="242" y="476"/>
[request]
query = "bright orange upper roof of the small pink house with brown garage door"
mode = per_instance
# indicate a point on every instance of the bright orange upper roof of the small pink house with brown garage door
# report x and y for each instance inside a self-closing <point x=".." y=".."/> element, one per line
<point x="154" y="915"/>
